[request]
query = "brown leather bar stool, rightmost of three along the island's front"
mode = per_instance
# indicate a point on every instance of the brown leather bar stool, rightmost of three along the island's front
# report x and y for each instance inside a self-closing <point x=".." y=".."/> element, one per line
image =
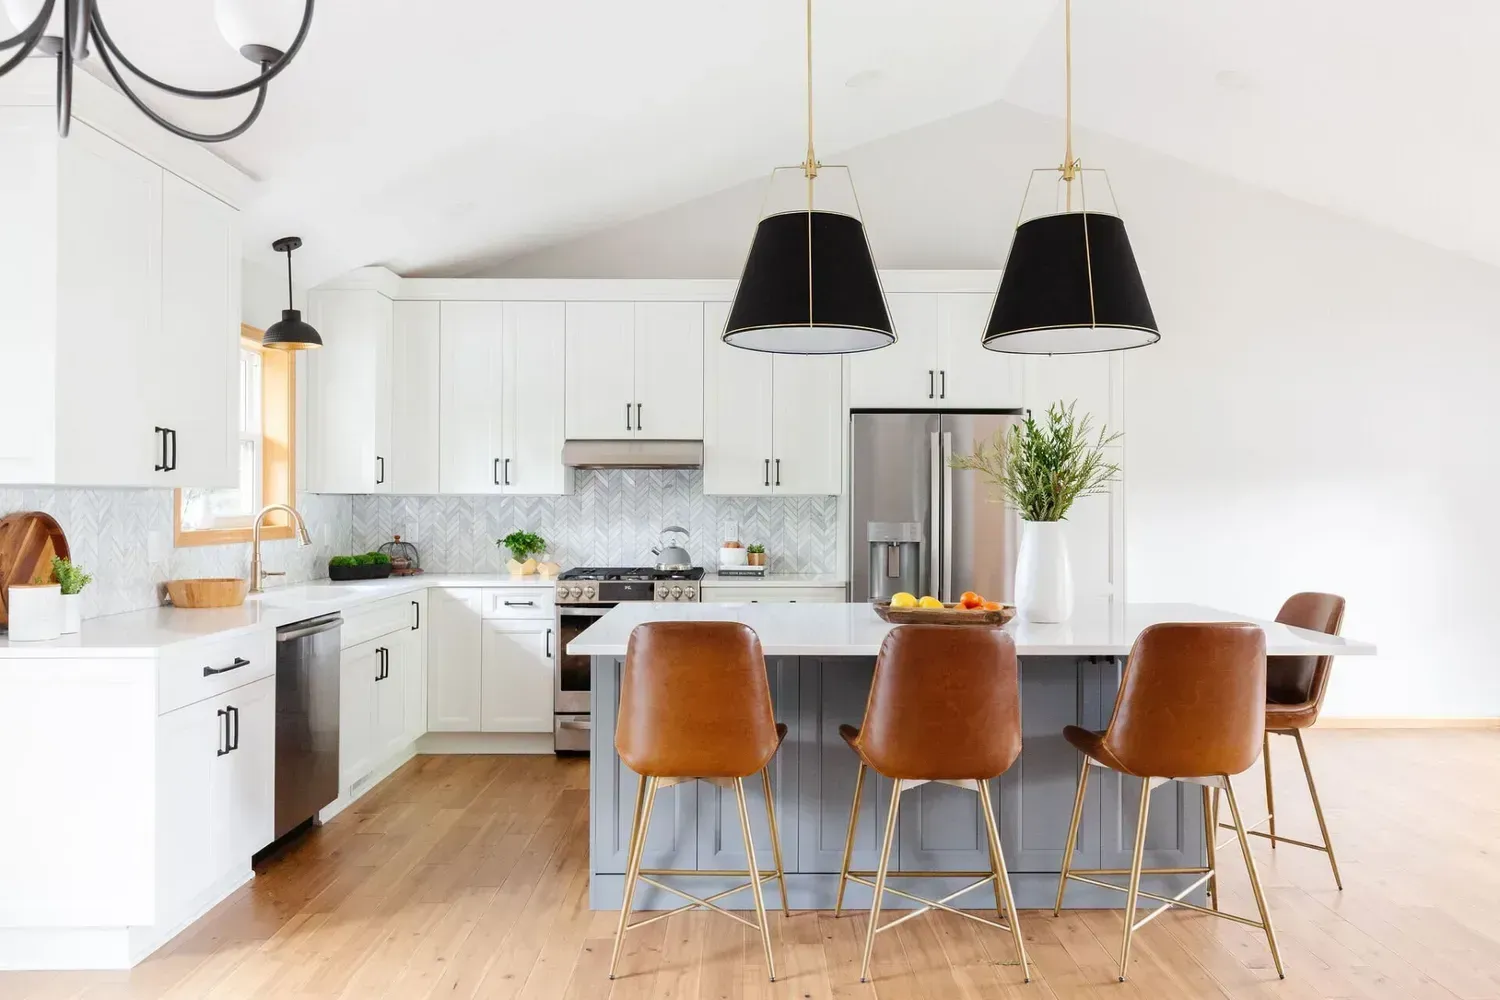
<point x="1190" y="708"/>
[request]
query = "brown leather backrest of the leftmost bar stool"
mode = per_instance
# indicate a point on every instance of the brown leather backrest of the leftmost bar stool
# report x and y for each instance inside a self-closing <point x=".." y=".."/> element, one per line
<point x="695" y="702"/>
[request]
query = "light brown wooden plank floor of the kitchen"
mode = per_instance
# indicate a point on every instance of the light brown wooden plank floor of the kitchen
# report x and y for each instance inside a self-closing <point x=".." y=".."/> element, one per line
<point x="467" y="878"/>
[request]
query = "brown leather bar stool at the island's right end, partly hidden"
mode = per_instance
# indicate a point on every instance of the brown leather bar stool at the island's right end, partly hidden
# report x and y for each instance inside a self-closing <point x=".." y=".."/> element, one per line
<point x="1295" y="689"/>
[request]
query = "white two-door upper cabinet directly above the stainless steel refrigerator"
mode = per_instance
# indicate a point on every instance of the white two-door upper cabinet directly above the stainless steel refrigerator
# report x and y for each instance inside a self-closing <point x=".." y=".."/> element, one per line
<point x="937" y="362"/>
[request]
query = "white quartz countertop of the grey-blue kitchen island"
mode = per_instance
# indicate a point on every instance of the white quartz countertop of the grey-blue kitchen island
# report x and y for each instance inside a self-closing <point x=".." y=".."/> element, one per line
<point x="1097" y="629"/>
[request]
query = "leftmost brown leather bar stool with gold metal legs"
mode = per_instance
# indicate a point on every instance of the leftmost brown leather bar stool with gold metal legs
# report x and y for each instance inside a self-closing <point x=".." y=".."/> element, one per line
<point x="695" y="704"/>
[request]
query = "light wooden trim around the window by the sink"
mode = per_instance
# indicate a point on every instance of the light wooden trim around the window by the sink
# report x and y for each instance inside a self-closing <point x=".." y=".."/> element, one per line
<point x="278" y="451"/>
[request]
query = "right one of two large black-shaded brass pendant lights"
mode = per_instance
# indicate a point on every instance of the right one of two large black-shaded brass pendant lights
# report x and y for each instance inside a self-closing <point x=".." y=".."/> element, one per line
<point x="1070" y="284"/>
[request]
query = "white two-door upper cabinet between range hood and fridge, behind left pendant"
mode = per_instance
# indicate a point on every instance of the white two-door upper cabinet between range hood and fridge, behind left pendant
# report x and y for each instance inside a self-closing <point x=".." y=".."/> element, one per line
<point x="773" y="424"/>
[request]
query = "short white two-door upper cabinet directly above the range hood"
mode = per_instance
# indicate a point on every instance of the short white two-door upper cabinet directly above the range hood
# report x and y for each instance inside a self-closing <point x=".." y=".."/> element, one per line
<point x="635" y="371"/>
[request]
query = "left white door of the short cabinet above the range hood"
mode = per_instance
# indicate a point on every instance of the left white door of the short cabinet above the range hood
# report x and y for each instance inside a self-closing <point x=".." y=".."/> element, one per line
<point x="601" y="374"/>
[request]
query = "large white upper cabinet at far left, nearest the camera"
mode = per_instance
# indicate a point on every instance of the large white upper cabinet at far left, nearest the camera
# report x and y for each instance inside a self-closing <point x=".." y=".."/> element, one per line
<point x="122" y="299"/>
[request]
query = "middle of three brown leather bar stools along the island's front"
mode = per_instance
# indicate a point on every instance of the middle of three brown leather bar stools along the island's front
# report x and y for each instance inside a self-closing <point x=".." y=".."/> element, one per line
<point x="944" y="707"/>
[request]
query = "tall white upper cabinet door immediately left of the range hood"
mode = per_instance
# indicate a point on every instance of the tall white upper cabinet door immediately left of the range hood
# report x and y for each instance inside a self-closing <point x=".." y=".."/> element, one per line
<point x="533" y="400"/>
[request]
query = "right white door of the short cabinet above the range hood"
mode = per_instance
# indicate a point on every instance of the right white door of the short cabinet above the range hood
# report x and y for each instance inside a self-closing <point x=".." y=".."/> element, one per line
<point x="670" y="371"/>
